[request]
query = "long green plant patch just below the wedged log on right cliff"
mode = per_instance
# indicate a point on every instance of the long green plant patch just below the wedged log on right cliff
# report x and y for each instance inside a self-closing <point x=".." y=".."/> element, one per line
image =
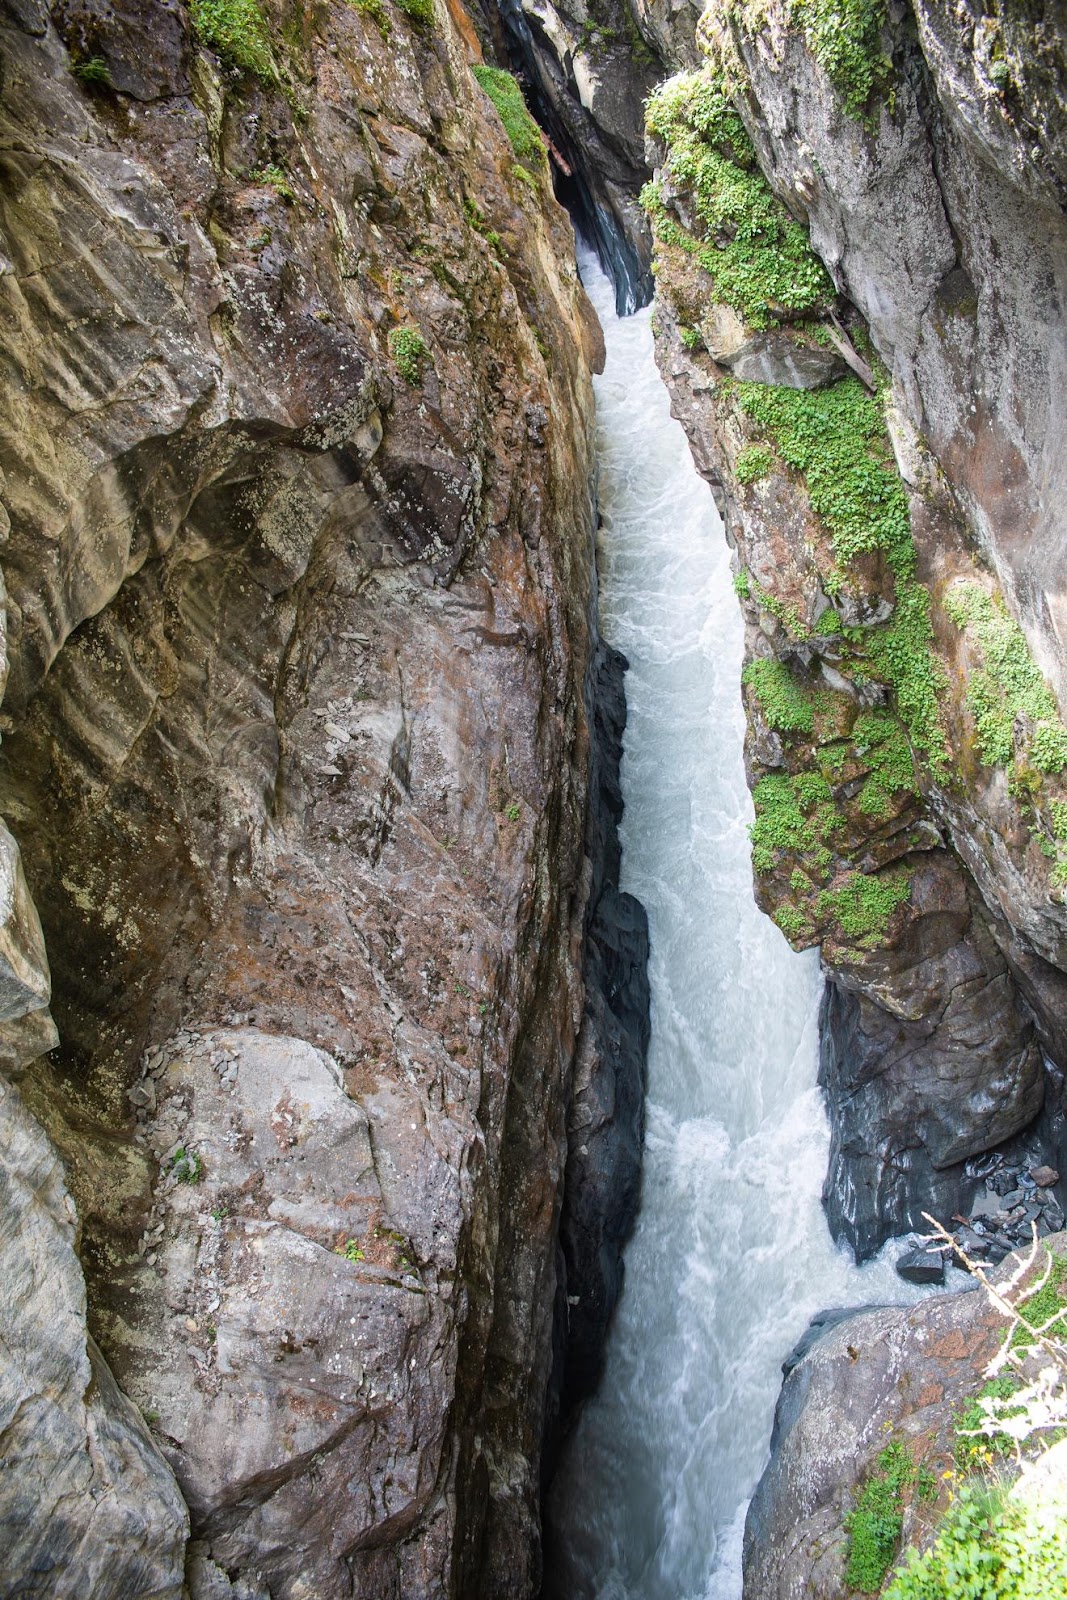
<point x="836" y="438"/>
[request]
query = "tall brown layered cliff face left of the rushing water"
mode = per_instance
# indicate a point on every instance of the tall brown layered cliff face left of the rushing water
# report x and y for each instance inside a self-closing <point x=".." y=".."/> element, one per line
<point x="297" y="457"/>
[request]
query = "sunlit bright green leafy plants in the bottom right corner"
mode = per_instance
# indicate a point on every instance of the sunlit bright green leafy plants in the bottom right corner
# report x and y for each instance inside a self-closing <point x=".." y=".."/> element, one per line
<point x="989" y="1548"/>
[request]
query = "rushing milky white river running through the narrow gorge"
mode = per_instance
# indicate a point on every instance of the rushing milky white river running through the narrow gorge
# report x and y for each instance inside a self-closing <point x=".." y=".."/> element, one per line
<point x="732" y="1255"/>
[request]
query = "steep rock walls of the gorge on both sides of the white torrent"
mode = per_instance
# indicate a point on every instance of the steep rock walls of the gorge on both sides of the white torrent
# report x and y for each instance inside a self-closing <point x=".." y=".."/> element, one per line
<point x="324" y="1015"/>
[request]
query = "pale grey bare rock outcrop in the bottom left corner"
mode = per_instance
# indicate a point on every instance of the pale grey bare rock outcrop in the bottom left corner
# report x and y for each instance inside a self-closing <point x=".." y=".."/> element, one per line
<point x="87" y="1502"/>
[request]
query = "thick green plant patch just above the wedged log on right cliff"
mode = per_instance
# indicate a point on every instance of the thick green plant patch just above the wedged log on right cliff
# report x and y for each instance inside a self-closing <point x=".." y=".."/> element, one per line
<point x="757" y="257"/>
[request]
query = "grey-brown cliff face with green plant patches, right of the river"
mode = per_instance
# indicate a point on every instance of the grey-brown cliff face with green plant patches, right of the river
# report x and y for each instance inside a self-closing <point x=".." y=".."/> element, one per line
<point x="898" y="570"/>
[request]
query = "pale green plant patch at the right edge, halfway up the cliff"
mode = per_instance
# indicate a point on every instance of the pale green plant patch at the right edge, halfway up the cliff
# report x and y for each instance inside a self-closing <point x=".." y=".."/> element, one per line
<point x="1007" y="686"/>
